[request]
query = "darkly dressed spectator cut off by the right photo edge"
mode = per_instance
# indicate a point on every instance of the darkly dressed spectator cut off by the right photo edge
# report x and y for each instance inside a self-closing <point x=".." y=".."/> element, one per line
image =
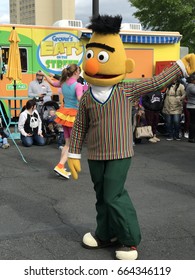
<point x="190" y="91"/>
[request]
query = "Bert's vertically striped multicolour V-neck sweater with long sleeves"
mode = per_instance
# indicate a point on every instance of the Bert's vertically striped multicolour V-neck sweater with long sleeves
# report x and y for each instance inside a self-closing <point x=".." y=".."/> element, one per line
<point x="108" y="125"/>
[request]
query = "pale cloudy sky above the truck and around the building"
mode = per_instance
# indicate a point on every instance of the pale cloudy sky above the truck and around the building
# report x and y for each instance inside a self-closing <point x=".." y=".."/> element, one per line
<point x="84" y="10"/>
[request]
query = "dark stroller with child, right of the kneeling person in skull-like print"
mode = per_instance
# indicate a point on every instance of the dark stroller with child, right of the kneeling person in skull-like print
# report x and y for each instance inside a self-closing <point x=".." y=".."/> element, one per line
<point x="51" y="130"/>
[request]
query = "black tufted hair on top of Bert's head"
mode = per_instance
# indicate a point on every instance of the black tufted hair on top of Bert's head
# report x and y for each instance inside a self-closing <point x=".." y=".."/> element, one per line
<point x="105" y="24"/>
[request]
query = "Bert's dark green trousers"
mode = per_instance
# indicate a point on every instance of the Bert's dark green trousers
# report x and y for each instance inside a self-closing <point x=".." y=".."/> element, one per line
<point x="116" y="216"/>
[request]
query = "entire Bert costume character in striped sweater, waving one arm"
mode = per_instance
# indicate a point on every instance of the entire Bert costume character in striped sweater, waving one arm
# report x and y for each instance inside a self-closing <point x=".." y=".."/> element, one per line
<point x="105" y="116"/>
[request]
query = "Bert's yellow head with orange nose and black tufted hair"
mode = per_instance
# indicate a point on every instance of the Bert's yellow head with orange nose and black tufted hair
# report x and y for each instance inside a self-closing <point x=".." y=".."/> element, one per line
<point x="105" y="62"/>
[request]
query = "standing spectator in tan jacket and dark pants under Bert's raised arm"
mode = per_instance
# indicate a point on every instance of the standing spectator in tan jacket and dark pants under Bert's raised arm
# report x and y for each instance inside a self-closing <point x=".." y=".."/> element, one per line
<point x="173" y="108"/>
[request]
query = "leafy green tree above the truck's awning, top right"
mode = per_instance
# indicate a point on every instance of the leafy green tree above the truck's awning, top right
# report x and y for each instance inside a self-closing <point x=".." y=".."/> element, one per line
<point x="168" y="15"/>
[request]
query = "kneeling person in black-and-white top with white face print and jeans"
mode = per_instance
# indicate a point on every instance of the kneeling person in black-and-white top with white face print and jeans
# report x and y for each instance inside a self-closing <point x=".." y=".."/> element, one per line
<point x="30" y="125"/>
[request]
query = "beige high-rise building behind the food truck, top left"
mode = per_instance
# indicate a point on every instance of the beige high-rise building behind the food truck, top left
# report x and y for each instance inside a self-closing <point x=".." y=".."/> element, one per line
<point x="41" y="12"/>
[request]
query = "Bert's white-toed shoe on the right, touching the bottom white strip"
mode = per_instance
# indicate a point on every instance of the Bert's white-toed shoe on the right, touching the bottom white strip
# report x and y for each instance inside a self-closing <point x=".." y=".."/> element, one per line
<point x="127" y="253"/>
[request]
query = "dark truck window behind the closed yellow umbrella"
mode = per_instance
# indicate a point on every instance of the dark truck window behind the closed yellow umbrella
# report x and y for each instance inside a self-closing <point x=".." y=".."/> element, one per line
<point x="23" y="57"/>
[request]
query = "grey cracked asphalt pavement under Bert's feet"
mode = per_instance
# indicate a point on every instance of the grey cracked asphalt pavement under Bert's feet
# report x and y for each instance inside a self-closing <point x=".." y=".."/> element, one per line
<point x="43" y="216"/>
